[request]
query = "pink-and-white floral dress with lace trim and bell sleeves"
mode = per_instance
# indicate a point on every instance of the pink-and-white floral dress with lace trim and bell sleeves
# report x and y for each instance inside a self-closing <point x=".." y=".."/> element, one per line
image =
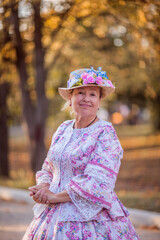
<point x="85" y="162"/>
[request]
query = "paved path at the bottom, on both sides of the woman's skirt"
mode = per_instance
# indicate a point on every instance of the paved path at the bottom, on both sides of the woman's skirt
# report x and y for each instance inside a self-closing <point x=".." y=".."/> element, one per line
<point x="15" y="217"/>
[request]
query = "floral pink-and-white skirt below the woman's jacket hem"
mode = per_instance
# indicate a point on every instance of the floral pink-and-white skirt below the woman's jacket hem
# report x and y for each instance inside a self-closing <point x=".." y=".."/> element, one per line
<point x="48" y="227"/>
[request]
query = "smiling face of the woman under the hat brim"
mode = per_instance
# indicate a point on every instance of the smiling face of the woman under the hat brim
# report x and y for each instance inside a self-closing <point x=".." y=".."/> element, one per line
<point x="85" y="101"/>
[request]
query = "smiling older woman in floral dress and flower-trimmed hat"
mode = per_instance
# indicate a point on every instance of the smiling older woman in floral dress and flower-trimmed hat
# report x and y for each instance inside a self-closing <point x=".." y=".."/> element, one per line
<point x="74" y="195"/>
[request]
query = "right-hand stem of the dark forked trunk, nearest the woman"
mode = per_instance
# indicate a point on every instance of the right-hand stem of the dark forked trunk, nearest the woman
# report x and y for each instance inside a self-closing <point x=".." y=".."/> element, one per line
<point x="39" y="152"/>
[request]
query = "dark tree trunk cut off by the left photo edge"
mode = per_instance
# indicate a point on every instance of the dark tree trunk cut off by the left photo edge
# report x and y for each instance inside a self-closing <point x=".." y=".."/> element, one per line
<point x="4" y="163"/>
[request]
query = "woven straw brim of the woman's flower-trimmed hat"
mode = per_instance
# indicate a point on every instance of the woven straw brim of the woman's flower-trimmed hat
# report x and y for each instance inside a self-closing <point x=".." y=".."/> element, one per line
<point x="65" y="92"/>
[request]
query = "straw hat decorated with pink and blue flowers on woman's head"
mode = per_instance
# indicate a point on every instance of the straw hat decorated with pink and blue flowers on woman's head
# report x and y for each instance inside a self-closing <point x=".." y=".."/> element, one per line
<point x="87" y="77"/>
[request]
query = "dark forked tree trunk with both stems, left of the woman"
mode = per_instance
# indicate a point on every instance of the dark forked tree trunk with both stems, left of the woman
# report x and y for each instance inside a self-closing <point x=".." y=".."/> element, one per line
<point x="34" y="114"/>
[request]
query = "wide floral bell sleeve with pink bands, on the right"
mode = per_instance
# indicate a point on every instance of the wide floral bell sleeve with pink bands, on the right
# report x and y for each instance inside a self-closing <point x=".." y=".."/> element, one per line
<point x="93" y="190"/>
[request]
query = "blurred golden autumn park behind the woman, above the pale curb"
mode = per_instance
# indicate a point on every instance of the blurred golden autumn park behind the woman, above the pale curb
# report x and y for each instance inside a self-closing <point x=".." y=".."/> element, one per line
<point x="41" y="42"/>
